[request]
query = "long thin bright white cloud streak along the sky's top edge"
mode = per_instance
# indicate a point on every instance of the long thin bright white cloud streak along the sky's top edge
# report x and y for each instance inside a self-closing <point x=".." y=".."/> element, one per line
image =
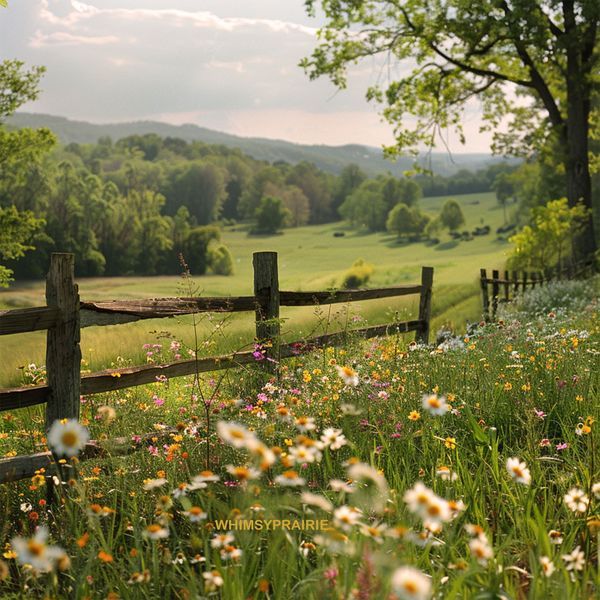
<point x="204" y="19"/>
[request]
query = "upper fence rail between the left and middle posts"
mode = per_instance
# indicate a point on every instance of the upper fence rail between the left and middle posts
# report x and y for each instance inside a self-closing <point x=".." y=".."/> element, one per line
<point x="114" y="312"/>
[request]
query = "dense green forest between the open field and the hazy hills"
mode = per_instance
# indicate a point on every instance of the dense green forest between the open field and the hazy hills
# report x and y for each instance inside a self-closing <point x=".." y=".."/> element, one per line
<point x="133" y="205"/>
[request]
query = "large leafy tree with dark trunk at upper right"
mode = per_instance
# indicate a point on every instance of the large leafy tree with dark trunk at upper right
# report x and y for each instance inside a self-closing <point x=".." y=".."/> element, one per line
<point x="543" y="51"/>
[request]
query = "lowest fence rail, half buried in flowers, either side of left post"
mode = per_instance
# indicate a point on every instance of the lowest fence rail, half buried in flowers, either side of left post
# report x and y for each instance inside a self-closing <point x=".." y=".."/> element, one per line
<point x="23" y="467"/>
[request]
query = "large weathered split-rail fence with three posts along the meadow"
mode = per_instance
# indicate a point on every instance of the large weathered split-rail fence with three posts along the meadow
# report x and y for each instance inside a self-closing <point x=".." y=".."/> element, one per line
<point x="65" y="315"/>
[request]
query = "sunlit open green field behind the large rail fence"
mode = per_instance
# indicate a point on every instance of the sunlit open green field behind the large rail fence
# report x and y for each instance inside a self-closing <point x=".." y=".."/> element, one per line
<point x="310" y="258"/>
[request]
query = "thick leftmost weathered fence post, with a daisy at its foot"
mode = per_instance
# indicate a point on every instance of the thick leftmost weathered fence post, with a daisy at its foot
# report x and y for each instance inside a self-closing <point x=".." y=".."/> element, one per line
<point x="63" y="354"/>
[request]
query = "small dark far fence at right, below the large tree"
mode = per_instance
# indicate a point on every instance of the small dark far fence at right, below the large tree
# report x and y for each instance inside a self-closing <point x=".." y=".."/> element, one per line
<point x="503" y="289"/>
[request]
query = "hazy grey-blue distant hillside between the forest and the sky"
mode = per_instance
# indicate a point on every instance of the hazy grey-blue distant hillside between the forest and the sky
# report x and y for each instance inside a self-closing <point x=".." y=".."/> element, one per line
<point x="328" y="158"/>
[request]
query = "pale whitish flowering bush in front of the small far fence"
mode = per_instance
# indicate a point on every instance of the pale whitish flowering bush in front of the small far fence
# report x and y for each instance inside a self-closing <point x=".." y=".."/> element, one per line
<point x="557" y="296"/>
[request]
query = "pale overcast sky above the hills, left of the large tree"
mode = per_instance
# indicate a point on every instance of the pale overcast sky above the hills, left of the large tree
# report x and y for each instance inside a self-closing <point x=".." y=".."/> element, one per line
<point x="229" y="65"/>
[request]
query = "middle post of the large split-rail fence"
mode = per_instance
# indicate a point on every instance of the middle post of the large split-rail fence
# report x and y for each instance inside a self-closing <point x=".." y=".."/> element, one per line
<point x="266" y="292"/>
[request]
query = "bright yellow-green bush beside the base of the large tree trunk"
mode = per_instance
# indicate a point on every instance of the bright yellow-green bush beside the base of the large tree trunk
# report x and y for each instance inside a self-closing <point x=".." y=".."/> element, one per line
<point x="547" y="241"/>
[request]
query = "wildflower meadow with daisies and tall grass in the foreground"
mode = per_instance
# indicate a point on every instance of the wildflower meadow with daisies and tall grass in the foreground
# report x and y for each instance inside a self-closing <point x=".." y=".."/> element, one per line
<point x="374" y="470"/>
